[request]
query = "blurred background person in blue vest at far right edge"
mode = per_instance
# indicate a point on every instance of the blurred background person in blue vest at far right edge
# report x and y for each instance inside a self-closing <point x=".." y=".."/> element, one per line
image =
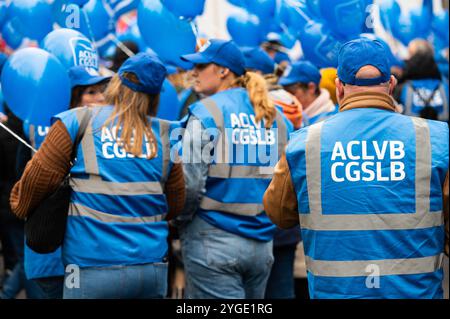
<point x="423" y="90"/>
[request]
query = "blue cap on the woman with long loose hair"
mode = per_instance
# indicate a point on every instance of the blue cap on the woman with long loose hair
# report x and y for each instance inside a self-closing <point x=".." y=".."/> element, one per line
<point x="149" y="70"/>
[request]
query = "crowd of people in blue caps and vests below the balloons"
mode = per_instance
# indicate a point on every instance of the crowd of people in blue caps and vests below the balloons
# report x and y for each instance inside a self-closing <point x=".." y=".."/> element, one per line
<point x="279" y="165"/>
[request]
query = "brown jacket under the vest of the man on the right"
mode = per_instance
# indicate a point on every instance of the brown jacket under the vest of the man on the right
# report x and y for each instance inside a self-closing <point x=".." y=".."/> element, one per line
<point x="280" y="199"/>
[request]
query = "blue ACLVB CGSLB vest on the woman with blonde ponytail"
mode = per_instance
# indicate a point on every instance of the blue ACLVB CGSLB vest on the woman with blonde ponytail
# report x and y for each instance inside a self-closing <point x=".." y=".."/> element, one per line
<point x="244" y="156"/>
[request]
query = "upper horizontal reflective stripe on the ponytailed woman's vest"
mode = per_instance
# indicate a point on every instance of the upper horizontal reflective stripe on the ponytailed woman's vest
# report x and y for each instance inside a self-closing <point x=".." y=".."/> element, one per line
<point x="227" y="171"/>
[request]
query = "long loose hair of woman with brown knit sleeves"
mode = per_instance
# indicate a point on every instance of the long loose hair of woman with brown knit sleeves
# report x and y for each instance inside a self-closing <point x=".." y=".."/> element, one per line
<point x="131" y="110"/>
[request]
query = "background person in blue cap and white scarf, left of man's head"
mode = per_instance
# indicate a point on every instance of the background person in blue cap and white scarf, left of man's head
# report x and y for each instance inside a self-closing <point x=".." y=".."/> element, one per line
<point x="302" y="79"/>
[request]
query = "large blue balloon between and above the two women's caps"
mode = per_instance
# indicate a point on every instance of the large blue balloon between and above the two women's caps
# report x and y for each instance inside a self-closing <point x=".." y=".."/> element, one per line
<point x="169" y="36"/>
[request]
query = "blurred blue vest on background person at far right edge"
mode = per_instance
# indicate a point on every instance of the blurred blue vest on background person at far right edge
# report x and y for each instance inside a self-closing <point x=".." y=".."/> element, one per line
<point x="417" y="94"/>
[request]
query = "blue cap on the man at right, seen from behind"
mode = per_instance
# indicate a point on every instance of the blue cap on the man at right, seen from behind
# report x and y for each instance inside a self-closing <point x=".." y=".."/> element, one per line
<point x="361" y="52"/>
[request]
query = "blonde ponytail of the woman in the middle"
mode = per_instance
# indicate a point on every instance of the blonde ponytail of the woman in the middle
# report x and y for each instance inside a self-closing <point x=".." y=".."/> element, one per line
<point x="259" y="97"/>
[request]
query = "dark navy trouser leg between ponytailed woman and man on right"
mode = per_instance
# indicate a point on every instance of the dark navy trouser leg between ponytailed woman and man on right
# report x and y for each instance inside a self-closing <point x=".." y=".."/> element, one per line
<point x="281" y="281"/>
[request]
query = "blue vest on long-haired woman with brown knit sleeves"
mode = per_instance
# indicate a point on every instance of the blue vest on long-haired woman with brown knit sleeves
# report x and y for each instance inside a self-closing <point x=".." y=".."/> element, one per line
<point x="117" y="209"/>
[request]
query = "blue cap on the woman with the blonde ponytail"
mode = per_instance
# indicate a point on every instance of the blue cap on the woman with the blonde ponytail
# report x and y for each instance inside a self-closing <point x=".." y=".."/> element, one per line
<point x="220" y="52"/>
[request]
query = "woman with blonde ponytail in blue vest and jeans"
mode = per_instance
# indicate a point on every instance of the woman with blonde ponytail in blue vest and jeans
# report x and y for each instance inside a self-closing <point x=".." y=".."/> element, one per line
<point x="232" y="141"/>
